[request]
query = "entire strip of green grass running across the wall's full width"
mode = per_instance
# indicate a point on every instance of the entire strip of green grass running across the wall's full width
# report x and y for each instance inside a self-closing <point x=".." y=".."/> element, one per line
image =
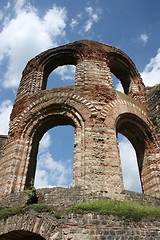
<point x="128" y="210"/>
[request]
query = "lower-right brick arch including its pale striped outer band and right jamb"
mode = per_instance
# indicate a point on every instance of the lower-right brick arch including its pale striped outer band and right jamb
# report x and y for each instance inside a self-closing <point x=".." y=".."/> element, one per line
<point x="127" y="112"/>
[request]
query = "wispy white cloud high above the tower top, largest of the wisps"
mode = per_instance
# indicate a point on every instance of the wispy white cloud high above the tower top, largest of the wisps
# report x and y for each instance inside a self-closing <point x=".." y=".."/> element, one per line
<point x="93" y="16"/>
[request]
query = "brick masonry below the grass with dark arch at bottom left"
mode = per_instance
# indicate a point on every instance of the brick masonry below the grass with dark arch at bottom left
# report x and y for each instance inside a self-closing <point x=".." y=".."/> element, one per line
<point x="32" y="225"/>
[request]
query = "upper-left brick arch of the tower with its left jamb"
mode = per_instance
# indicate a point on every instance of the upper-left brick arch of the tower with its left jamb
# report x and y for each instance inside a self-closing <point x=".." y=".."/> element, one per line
<point x="37" y="70"/>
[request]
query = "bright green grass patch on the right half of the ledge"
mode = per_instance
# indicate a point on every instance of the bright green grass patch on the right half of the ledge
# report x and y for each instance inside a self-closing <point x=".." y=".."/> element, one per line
<point x="132" y="210"/>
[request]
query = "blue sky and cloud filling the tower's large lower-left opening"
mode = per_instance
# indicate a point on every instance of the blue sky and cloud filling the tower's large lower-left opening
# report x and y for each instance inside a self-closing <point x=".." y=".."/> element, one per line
<point x="55" y="158"/>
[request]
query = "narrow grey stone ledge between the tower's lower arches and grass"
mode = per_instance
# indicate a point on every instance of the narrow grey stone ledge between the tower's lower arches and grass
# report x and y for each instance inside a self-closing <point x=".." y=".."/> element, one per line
<point x="63" y="197"/>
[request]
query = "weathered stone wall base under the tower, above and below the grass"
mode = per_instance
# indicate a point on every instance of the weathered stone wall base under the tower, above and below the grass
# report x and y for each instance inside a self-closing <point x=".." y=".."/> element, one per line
<point x="31" y="224"/>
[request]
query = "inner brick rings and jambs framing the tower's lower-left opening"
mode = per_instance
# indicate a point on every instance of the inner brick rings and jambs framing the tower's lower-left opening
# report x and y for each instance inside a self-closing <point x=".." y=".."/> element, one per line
<point x="61" y="115"/>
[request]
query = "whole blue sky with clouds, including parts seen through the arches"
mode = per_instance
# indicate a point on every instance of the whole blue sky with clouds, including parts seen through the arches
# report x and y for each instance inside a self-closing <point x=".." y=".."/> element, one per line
<point x="28" y="27"/>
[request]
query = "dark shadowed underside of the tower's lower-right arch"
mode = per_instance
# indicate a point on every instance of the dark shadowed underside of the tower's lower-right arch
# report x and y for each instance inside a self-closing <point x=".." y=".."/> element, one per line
<point x="139" y="134"/>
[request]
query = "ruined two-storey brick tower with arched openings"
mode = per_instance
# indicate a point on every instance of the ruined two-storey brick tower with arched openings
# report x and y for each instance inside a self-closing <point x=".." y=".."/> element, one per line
<point x="95" y="110"/>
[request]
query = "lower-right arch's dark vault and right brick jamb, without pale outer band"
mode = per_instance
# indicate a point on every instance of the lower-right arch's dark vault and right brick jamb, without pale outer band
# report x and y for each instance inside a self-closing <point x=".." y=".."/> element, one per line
<point x="140" y="135"/>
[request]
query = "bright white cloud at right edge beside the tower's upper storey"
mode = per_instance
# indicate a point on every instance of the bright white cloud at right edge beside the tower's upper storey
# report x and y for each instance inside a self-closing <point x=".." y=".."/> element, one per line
<point x="151" y="73"/>
